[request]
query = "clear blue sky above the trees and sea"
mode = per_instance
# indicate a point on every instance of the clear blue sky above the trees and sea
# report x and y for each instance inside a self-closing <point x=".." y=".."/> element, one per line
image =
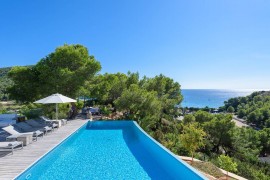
<point x="199" y="43"/>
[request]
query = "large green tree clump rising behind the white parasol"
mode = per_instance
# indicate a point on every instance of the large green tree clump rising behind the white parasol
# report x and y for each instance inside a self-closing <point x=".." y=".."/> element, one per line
<point x="63" y="71"/>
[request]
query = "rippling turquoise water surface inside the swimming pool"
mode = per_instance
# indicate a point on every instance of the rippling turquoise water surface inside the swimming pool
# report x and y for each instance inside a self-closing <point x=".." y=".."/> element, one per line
<point x="96" y="153"/>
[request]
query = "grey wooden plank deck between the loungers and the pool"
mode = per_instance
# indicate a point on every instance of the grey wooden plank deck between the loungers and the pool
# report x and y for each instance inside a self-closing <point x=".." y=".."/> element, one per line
<point x="12" y="165"/>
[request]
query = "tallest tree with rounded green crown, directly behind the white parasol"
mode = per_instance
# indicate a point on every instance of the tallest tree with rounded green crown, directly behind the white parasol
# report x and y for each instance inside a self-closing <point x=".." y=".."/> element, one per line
<point x="66" y="70"/>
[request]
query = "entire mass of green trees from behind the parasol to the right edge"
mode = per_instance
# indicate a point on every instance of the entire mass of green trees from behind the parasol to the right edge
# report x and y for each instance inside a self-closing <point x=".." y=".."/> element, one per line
<point x="151" y="102"/>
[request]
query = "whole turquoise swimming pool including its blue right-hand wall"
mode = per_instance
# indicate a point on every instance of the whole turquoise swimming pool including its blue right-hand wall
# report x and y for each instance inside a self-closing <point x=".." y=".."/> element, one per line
<point x="110" y="150"/>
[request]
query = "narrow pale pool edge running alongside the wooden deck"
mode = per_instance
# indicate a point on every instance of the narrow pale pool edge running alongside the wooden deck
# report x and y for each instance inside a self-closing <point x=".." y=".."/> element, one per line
<point x="52" y="148"/>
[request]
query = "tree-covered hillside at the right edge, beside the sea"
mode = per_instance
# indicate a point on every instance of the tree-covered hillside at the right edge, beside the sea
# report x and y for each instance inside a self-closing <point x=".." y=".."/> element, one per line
<point x="254" y="108"/>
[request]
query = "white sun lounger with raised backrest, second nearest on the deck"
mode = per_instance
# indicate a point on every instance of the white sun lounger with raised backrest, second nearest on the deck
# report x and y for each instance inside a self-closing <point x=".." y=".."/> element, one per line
<point x="15" y="133"/>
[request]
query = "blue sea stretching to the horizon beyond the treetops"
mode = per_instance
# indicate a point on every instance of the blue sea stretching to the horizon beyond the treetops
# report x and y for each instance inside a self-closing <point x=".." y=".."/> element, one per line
<point x="213" y="98"/>
